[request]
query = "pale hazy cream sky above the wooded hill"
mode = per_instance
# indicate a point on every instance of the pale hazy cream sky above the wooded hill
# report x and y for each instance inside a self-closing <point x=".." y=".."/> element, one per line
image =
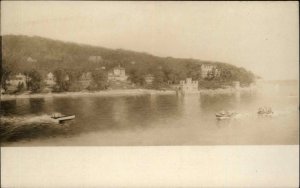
<point x="260" y="36"/>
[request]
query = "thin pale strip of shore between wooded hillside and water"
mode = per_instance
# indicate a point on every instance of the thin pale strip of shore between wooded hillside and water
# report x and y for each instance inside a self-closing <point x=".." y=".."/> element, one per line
<point x="127" y="92"/>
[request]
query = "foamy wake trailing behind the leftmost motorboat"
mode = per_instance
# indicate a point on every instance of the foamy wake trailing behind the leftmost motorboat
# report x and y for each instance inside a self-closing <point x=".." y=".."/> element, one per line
<point x="15" y="128"/>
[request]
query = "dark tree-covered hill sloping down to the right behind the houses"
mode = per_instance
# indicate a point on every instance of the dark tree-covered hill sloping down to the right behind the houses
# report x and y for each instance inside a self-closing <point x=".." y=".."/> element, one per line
<point x="22" y="53"/>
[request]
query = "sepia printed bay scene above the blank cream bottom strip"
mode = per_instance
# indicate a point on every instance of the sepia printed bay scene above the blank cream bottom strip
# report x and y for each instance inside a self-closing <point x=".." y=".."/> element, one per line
<point x="168" y="73"/>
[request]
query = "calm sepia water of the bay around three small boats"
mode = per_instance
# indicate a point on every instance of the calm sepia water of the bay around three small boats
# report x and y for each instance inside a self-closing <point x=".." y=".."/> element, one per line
<point x="155" y="119"/>
